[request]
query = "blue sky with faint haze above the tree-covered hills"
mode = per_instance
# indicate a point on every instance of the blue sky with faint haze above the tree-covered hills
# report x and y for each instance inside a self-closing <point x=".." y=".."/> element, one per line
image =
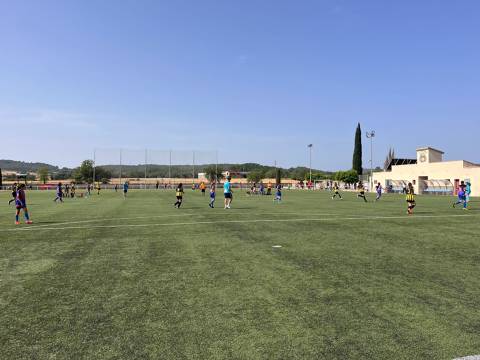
<point x="257" y="80"/>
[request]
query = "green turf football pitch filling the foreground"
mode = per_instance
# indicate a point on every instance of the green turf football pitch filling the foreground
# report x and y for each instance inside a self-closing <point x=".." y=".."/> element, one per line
<point x="107" y="278"/>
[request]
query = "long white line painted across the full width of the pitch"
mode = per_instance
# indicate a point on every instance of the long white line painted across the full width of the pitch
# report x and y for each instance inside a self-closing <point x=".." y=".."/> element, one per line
<point x="34" y="228"/>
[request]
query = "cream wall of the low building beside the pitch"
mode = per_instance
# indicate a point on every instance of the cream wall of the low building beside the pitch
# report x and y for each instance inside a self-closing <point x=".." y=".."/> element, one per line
<point x="450" y="170"/>
